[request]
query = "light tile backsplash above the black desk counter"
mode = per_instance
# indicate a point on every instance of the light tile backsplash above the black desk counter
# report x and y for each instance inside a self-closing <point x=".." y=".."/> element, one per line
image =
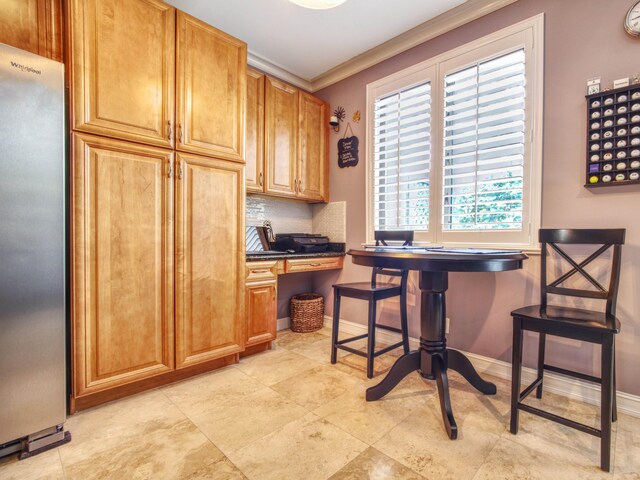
<point x="291" y="216"/>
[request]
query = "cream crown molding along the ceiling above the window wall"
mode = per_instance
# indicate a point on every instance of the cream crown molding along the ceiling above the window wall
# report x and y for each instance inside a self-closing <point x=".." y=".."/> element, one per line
<point x="454" y="18"/>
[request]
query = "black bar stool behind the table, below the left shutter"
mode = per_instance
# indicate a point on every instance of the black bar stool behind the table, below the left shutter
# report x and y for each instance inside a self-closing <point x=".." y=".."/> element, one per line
<point x="372" y="292"/>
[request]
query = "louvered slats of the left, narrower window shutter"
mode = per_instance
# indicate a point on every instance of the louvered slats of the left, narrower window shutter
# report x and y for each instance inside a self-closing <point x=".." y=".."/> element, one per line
<point x="402" y="154"/>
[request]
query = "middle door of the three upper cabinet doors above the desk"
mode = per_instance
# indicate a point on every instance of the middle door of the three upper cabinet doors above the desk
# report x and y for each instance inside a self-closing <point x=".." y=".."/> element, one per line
<point x="281" y="133"/>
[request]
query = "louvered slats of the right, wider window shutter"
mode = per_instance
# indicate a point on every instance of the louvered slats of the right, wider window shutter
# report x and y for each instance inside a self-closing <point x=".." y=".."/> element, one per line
<point x="484" y="144"/>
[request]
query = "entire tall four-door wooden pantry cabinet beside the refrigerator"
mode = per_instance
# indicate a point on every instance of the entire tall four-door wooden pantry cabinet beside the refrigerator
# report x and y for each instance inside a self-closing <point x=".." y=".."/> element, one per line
<point x="157" y="193"/>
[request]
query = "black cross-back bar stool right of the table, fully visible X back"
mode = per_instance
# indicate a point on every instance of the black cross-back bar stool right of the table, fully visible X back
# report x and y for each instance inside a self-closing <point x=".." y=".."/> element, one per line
<point x="579" y="324"/>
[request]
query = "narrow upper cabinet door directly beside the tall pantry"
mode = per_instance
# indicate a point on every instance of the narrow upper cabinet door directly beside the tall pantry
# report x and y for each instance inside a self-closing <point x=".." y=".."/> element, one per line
<point x="254" y="147"/>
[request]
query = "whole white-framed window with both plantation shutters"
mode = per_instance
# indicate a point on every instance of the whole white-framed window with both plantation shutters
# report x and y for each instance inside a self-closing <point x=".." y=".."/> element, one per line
<point x="454" y="144"/>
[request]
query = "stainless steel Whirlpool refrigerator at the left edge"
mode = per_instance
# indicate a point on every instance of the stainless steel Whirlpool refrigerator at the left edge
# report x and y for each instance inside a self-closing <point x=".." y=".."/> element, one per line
<point x="32" y="253"/>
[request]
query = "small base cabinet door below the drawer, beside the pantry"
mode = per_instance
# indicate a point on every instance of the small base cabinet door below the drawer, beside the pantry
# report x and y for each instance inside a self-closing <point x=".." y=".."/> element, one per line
<point x="261" y="313"/>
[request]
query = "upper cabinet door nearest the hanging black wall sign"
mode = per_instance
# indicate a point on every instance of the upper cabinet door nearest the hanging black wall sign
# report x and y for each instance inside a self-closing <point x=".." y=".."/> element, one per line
<point x="313" y="177"/>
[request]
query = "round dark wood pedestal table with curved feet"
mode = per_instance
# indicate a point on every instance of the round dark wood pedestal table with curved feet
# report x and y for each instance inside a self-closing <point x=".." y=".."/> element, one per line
<point x="433" y="358"/>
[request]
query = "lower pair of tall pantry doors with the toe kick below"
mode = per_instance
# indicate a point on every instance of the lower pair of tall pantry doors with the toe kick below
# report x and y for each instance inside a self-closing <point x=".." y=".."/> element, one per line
<point x="129" y="203"/>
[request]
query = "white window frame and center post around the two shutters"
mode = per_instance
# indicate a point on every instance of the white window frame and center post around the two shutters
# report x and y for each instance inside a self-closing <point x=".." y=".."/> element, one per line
<point x="529" y="35"/>
